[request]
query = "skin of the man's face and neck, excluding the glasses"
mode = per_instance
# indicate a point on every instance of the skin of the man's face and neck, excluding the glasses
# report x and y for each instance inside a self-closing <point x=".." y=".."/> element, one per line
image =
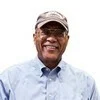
<point x="50" y="48"/>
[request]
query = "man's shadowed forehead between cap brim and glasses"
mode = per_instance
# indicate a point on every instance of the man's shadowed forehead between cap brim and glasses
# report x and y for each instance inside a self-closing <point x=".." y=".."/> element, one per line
<point x="53" y="24"/>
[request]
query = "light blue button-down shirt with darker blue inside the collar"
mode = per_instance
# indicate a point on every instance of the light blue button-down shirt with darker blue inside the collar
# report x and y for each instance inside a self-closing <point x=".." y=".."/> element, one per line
<point x="33" y="81"/>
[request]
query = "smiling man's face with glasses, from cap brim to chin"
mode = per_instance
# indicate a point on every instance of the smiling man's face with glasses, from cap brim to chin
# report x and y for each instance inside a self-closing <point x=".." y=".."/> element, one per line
<point x="51" y="41"/>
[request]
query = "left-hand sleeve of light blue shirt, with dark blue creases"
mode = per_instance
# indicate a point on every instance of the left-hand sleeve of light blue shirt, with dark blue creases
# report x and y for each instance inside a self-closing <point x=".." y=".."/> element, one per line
<point x="6" y="92"/>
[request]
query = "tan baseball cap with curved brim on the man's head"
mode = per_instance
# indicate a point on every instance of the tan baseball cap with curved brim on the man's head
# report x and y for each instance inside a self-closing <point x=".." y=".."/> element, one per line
<point x="51" y="16"/>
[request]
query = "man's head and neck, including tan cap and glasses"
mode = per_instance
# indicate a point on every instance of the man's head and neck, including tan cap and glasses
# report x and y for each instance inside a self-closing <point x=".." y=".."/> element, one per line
<point x="51" y="37"/>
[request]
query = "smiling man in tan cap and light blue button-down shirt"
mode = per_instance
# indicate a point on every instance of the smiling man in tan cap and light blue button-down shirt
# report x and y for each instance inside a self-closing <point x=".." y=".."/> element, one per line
<point x="48" y="77"/>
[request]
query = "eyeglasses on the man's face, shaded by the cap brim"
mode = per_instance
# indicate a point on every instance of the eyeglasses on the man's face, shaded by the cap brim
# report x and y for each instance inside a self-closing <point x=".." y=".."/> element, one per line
<point x="54" y="32"/>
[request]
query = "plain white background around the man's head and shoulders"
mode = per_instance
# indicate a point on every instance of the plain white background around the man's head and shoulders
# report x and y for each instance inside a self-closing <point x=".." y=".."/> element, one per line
<point x="17" y="20"/>
